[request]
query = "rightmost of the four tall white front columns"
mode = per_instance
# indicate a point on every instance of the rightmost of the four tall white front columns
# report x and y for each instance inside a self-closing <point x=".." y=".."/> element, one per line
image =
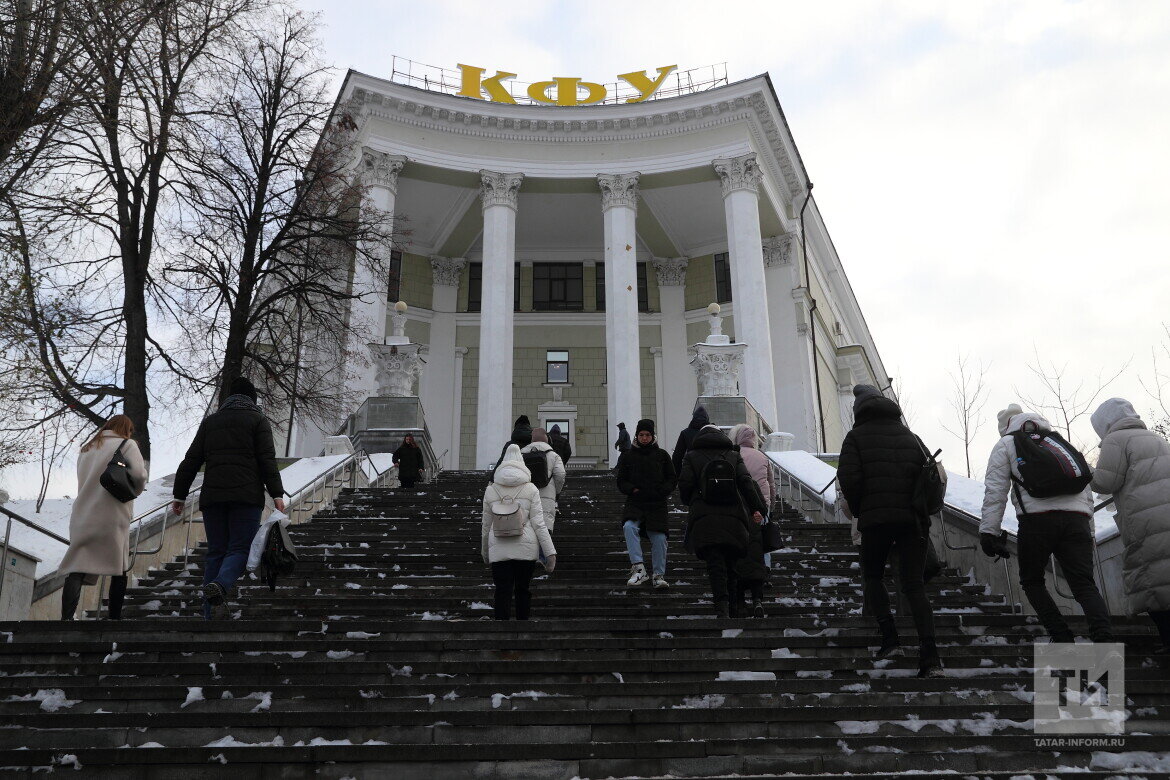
<point x="740" y="177"/>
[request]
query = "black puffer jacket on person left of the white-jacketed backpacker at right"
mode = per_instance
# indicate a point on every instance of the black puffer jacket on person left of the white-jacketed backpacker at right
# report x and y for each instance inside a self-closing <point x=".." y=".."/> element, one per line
<point x="880" y="464"/>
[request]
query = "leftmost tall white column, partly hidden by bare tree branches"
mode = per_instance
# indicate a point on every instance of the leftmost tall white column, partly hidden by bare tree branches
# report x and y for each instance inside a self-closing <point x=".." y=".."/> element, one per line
<point x="368" y="321"/>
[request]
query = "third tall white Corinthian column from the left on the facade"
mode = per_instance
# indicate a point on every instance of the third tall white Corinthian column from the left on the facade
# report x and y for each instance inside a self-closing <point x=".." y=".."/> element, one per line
<point x="624" y="383"/>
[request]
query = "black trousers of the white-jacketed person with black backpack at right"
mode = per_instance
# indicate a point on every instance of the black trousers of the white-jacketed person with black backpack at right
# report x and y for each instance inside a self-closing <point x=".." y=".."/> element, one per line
<point x="1069" y="539"/>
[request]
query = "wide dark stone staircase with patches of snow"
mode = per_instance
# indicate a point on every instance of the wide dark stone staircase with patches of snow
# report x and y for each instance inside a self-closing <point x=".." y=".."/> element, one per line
<point x="378" y="659"/>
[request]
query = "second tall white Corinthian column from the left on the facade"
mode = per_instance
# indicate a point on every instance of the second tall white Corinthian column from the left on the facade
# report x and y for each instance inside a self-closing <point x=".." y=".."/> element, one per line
<point x="499" y="194"/>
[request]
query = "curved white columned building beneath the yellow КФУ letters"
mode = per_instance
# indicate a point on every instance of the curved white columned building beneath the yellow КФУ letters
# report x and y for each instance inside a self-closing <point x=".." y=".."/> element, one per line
<point x="561" y="261"/>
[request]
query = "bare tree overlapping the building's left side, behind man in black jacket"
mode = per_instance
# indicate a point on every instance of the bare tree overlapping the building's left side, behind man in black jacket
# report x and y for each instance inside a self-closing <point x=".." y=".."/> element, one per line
<point x="277" y="223"/>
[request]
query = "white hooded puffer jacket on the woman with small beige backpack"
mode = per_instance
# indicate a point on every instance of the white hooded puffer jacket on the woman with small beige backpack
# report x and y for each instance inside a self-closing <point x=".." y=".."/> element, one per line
<point x="514" y="481"/>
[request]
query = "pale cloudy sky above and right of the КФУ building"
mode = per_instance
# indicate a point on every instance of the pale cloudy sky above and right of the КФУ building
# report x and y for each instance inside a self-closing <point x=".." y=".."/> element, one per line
<point x="994" y="175"/>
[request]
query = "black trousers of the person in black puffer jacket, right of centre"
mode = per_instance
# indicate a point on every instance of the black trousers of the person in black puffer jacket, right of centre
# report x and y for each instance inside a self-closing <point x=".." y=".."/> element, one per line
<point x="877" y="544"/>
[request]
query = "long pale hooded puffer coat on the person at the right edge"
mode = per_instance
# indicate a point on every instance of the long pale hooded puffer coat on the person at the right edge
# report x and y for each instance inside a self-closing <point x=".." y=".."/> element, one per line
<point x="1135" y="468"/>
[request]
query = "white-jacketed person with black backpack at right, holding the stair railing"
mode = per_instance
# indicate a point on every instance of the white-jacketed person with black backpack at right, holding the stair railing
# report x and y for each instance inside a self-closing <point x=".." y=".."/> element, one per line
<point x="1049" y="482"/>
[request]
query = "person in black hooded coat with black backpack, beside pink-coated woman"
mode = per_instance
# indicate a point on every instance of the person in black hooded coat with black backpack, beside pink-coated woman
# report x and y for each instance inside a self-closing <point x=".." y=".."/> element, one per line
<point x="718" y="533"/>
